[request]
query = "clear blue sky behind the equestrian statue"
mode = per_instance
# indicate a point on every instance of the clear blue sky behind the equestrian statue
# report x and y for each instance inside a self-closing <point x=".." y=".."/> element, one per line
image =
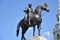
<point x="11" y="12"/>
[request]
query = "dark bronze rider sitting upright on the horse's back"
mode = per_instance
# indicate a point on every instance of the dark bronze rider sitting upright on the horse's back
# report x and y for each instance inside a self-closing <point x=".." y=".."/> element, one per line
<point x="28" y="10"/>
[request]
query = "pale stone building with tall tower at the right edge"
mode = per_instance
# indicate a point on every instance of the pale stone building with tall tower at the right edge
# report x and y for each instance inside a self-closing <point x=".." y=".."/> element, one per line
<point x="57" y="26"/>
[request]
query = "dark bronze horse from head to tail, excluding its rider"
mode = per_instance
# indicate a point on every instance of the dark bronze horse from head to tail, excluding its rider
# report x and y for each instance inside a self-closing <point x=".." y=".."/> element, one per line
<point x="36" y="19"/>
